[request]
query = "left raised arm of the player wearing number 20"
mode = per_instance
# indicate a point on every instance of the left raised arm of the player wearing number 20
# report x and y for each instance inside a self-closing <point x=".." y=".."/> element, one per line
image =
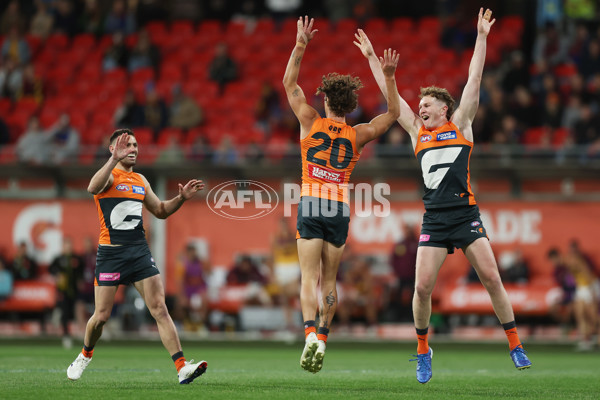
<point x="305" y="113"/>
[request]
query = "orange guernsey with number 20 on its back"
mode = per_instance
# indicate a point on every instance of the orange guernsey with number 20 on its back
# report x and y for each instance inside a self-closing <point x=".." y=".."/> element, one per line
<point x="329" y="154"/>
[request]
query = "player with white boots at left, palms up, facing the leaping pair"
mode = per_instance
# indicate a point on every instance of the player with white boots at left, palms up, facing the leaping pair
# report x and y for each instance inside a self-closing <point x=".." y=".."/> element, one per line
<point x="123" y="254"/>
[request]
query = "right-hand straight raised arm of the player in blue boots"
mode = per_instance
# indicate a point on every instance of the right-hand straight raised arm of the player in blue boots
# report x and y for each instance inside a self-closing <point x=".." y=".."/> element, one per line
<point x="469" y="101"/>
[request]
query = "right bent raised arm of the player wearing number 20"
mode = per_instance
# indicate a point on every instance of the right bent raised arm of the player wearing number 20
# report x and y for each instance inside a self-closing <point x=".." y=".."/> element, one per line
<point x="380" y="124"/>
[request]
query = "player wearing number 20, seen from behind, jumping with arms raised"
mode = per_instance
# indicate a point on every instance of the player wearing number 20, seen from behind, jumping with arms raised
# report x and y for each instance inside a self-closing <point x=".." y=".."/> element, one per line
<point x="330" y="149"/>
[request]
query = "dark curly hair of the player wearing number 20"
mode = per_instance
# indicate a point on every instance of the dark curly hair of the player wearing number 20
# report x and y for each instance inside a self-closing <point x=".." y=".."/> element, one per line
<point x="340" y="91"/>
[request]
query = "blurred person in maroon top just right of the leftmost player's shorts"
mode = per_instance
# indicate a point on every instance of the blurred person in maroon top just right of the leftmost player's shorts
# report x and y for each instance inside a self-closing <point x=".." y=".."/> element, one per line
<point x="195" y="289"/>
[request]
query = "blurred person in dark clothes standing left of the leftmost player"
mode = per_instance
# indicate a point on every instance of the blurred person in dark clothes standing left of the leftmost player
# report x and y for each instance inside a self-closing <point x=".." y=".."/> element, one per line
<point x="67" y="269"/>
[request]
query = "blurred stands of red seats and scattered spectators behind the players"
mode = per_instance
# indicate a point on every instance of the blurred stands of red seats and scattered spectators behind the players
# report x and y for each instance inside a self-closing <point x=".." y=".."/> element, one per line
<point x="71" y="71"/>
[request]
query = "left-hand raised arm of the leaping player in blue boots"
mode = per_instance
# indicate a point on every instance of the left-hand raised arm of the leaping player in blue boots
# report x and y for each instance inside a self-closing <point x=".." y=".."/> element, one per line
<point x="407" y="118"/>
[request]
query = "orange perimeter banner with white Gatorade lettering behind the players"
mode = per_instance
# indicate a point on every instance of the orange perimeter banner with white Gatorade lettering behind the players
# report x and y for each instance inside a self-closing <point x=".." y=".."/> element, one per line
<point x="531" y="227"/>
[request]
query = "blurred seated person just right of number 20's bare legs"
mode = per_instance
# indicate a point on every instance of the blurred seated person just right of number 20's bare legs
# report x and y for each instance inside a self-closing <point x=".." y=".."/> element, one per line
<point x="358" y="298"/>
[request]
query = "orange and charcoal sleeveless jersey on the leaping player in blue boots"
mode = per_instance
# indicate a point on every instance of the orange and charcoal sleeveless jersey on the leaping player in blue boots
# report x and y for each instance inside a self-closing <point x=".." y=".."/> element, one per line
<point x="444" y="155"/>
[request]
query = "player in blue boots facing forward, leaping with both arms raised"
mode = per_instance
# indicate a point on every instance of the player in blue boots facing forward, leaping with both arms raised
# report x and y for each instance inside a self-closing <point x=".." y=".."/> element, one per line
<point x="442" y="142"/>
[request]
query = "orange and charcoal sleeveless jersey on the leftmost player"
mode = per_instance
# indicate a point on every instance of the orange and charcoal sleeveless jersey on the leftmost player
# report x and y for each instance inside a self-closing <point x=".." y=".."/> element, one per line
<point x="120" y="209"/>
